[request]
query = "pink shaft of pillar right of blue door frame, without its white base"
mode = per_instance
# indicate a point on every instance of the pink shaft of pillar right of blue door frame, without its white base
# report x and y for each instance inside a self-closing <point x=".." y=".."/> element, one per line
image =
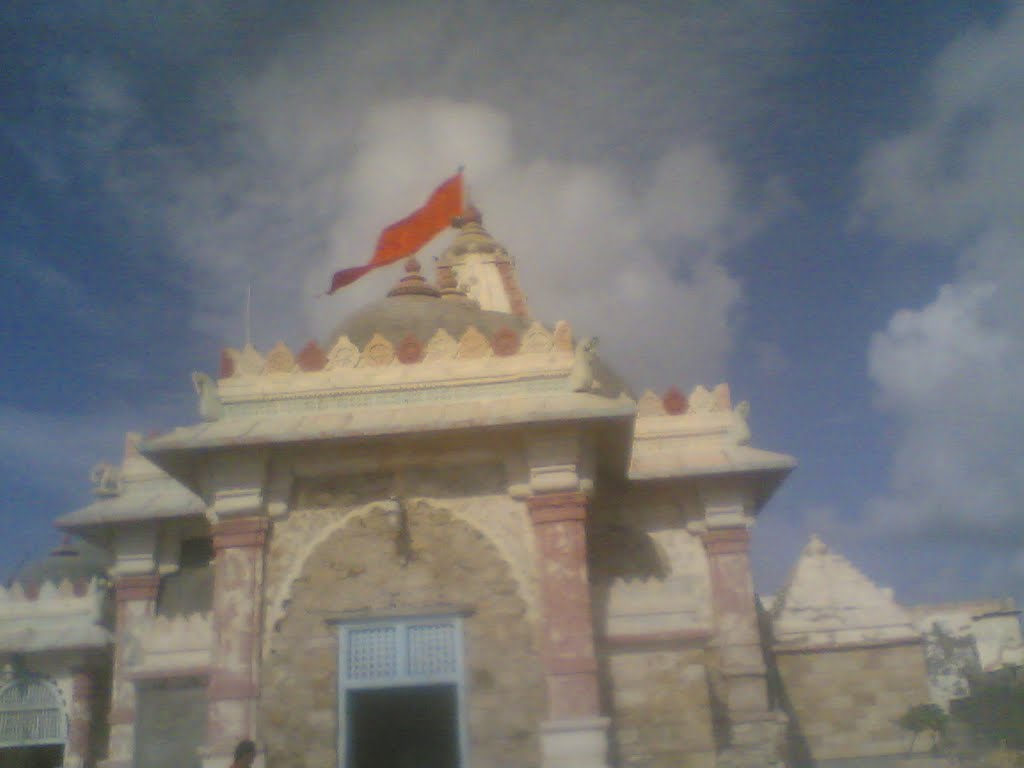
<point x="571" y="667"/>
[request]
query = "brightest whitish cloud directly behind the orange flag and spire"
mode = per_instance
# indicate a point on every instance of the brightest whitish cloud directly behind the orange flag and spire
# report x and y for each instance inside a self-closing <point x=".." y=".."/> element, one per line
<point x="591" y="246"/>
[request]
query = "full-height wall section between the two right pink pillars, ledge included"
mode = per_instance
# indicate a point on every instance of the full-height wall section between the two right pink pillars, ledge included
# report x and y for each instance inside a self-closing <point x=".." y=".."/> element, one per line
<point x="652" y="595"/>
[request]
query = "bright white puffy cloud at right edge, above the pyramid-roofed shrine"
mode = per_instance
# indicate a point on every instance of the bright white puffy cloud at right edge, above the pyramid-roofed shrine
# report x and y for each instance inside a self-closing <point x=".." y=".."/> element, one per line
<point x="952" y="374"/>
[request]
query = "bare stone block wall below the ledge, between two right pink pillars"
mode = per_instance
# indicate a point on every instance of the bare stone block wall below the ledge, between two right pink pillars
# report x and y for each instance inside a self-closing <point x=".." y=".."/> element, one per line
<point x="662" y="709"/>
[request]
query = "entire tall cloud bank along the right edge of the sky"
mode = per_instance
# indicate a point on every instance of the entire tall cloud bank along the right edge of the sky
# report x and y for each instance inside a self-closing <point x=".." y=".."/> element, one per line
<point x="951" y="373"/>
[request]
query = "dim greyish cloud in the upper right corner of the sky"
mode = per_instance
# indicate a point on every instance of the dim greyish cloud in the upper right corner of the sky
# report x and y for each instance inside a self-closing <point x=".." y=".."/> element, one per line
<point x="960" y="167"/>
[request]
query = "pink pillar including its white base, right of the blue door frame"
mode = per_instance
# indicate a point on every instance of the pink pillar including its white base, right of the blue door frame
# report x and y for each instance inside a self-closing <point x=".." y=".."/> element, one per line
<point x="576" y="735"/>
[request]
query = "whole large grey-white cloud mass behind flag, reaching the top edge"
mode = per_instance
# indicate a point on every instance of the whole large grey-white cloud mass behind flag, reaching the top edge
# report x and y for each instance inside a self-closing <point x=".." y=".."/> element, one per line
<point x="604" y="181"/>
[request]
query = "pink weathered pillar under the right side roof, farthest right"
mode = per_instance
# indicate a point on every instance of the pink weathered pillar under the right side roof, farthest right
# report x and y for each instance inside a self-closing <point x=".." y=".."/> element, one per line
<point x="737" y="627"/>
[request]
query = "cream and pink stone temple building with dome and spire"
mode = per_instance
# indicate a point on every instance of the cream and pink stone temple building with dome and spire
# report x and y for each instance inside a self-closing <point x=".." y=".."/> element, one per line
<point x="447" y="536"/>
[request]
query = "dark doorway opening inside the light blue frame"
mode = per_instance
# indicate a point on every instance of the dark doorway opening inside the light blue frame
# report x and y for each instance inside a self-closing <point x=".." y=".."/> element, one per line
<point x="414" y="728"/>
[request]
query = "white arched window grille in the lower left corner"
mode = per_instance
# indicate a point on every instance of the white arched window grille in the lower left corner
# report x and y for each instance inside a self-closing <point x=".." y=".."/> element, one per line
<point x="31" y="714"/>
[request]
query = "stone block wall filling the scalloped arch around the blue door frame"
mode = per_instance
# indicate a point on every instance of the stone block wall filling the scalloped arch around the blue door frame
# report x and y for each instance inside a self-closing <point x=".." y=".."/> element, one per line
<point x="375" y="566"/>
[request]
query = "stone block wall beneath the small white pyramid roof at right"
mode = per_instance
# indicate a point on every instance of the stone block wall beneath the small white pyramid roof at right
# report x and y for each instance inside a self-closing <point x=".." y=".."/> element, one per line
<point x="847" y="701"/>
